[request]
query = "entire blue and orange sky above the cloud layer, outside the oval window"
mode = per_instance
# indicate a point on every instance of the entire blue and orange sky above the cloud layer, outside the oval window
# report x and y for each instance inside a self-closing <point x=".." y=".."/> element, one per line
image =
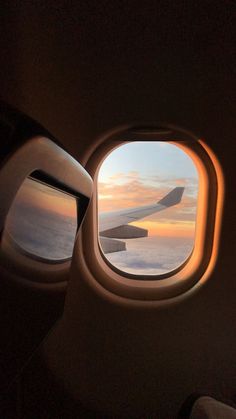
<point x="141" y="173"/>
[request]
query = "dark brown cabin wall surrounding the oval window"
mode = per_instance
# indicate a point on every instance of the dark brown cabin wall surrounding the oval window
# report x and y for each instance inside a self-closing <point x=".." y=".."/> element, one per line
<point x="81" y="71"/>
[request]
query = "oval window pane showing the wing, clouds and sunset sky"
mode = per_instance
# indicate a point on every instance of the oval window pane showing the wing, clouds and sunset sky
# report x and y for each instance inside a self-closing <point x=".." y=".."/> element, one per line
<point x="147" y="201"/>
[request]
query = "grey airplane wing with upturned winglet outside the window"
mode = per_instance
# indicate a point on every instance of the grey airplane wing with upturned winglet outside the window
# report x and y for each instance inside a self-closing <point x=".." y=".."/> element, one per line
<point x="115" y="224"/>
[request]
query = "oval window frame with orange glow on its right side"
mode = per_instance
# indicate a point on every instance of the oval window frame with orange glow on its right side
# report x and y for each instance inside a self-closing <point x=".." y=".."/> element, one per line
<point x="202" y="260"/>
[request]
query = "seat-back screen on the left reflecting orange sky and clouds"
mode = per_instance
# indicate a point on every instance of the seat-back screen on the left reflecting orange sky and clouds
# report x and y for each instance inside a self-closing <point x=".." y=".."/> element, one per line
<point x="42" y="221"/>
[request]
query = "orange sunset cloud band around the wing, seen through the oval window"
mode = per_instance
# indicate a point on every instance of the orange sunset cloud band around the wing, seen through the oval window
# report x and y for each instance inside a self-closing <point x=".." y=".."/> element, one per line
<point x="178" y="221"/>
